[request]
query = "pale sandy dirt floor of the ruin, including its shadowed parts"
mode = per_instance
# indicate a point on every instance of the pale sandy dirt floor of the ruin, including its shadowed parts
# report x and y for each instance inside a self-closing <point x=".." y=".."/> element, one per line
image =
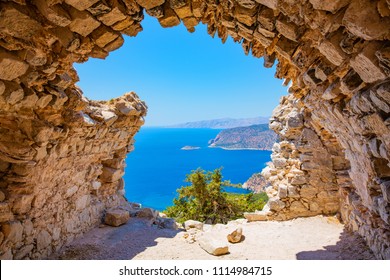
<point x="315" y="238"/>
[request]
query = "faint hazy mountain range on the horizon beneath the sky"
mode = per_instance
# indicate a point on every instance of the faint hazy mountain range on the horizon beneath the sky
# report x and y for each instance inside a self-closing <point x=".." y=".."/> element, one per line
<point x="222" y="123"/>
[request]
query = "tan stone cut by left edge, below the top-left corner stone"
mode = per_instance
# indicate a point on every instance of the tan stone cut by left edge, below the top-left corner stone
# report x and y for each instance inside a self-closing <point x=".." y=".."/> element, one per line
<point x="11" y="67"/>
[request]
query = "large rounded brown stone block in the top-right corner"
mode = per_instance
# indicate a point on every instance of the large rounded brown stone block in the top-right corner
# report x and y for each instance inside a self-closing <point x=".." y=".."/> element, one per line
<point x="363" y="20"/>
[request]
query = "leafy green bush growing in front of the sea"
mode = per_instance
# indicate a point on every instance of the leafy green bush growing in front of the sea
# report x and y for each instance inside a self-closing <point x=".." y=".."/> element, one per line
<point x="204" y="200"/>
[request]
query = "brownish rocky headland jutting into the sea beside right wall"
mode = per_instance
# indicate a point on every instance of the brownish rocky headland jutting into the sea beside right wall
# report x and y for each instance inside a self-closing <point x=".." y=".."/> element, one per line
<point x="258" y="137"/>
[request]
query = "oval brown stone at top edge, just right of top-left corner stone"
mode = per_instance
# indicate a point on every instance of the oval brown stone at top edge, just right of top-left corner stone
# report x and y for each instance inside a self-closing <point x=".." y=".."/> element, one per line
<point x="55" y="13"/>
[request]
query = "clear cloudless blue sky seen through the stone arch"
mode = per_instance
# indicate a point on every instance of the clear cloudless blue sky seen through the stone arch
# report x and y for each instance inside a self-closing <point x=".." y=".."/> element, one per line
<point x="183" y="76"/>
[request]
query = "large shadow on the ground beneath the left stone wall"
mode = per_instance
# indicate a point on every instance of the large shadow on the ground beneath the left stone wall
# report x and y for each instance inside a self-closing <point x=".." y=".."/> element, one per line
<point x="115" y="243"/>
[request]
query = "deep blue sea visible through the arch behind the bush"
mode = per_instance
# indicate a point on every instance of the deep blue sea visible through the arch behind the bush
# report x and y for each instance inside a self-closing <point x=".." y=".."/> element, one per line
<point x="158" y="166"/>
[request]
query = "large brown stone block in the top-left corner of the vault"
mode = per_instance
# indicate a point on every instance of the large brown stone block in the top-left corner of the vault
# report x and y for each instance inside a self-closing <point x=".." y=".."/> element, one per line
<point x="15" y="21"/>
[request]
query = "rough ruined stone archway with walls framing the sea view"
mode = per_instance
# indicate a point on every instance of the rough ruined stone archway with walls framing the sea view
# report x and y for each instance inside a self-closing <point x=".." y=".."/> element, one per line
<point x="61" y="155"/>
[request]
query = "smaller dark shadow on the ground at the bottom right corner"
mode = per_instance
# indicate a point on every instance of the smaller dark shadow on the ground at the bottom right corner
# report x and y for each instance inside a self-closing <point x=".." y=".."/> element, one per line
<point x="351" y="246"/>
